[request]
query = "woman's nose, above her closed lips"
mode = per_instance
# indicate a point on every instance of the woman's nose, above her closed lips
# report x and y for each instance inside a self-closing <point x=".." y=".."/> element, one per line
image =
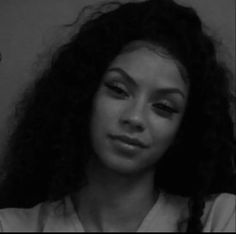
<point x="133" y="118"/>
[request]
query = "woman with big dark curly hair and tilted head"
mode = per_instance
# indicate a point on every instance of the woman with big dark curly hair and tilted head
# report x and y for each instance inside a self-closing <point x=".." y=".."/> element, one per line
<point x="128" y="129"/>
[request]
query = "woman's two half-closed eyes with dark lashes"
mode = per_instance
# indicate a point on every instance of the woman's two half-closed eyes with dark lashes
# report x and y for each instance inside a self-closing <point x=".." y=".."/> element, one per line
<point x="167" y="109"/>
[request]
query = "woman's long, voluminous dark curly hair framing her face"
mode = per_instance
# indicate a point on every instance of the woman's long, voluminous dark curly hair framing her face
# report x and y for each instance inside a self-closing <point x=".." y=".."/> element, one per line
<point x="46" y="154"/>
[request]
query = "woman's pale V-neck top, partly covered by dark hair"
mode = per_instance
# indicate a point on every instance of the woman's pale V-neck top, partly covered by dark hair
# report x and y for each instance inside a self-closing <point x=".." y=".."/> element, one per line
<point x="60" y="216"/>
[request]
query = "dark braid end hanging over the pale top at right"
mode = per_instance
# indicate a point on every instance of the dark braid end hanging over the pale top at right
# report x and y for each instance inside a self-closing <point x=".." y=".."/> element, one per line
<point x="196" y="206"/>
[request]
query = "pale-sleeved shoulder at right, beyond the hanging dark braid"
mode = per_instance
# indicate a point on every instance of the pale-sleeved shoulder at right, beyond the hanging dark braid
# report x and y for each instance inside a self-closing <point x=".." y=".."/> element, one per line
<point x="219" y="214"/>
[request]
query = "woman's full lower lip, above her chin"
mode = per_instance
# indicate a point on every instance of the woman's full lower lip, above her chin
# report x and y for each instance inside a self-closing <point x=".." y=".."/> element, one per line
<point x="124" y="147"/>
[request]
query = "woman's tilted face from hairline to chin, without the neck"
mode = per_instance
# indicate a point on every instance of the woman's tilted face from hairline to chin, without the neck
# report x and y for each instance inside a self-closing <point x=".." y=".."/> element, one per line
<point x="137" y="110"/>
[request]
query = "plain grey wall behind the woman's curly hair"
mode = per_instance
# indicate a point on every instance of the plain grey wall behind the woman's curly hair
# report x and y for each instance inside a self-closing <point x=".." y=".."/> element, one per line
<point x="29" y="27"/>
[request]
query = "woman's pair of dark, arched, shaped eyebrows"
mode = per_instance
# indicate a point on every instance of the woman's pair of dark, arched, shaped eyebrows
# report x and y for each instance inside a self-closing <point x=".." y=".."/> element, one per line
<point x="130" y="80"/>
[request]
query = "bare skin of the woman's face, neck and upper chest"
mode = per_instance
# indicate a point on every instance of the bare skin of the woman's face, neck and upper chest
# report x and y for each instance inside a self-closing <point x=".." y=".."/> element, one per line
<point x="143" y="96"/>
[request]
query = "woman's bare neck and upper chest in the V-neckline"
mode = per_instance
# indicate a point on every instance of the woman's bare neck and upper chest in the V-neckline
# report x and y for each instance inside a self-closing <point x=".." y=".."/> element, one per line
<point x="115" y="202"/>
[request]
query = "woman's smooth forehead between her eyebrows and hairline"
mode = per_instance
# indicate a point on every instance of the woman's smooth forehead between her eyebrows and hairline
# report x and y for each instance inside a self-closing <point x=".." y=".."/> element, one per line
<point x="150" y="67"/>
